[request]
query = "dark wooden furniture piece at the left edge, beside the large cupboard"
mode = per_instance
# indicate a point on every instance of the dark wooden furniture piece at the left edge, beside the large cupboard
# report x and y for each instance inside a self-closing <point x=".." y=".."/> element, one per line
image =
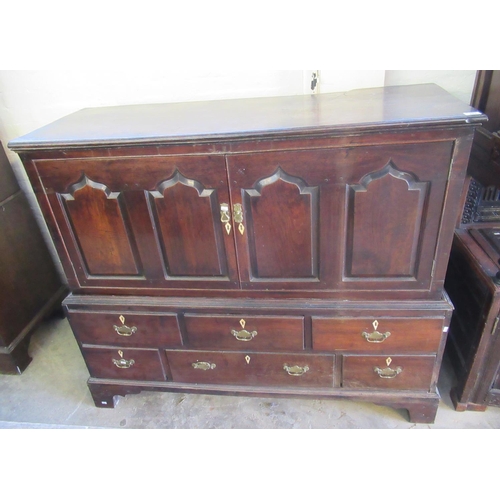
<point x="30" y="287"/>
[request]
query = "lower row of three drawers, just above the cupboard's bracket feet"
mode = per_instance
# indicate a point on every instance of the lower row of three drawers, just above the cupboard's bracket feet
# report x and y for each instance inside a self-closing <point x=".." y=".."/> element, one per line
<point x="262" y="369"/>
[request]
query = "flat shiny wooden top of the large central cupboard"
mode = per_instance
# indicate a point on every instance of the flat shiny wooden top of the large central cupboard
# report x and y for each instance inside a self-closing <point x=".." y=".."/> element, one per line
<point x="400" y="106"/>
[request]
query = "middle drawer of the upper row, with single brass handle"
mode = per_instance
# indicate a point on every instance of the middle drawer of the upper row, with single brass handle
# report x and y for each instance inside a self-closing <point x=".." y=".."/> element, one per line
<point x="261" y="333"/>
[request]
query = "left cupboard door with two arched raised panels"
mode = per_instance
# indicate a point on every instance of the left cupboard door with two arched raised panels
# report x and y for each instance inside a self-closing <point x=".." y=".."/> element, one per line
<point x="143" y="222"/>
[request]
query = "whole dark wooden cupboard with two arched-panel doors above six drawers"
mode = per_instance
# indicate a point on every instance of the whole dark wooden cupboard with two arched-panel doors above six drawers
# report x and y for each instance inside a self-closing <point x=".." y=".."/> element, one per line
<point x="284" y="246"/>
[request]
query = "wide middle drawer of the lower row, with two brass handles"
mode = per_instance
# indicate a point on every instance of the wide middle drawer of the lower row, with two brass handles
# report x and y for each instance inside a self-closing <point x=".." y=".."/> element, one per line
<point x="293" y="370"/>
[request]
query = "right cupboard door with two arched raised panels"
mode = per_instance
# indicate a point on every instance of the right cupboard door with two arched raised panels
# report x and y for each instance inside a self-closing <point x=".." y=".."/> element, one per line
<point x="358" y="218"/>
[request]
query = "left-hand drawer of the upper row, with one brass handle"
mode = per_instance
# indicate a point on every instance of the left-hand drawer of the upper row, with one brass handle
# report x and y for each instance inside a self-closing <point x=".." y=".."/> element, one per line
<point x="139" y="330"/>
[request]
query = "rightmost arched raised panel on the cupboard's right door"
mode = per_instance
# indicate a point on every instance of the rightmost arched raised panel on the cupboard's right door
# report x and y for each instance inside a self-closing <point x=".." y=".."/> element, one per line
<point x="385" y="213"/>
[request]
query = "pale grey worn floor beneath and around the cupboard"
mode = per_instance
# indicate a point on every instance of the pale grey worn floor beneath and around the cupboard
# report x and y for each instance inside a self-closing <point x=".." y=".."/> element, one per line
<point x="52" y="393"/>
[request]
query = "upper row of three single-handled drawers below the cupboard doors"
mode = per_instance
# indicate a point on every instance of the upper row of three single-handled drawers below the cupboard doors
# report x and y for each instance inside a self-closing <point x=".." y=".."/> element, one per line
<point x="257" y="333"/>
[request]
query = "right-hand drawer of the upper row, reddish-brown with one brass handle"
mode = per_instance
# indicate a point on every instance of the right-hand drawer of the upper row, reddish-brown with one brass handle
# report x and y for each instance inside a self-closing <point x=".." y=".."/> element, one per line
<point x="376" y="335"/>
